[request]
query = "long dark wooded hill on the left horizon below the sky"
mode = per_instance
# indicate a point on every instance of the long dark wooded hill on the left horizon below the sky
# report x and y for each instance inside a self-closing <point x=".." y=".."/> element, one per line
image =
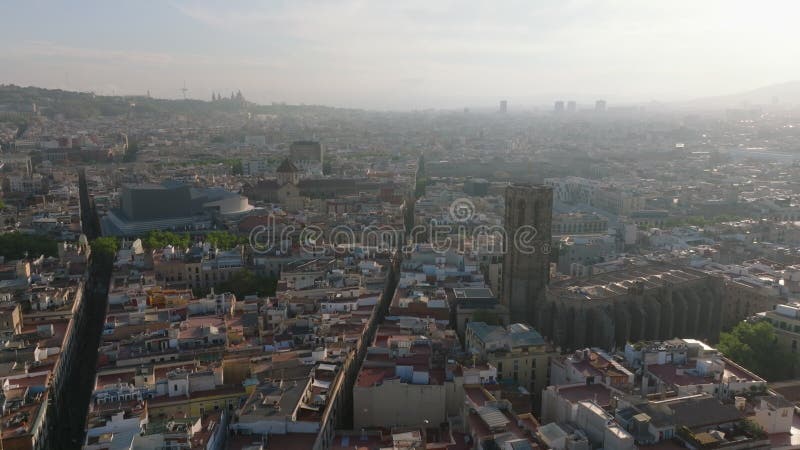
<point x="82" y="105"/>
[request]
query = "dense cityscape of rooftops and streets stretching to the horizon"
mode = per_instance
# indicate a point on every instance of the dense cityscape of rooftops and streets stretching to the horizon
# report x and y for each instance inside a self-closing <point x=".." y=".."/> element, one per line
<point x="219" y="274"/>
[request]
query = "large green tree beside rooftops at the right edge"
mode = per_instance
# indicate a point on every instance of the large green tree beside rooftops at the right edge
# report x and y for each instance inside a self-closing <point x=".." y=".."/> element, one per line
<point x="755" y="346"/>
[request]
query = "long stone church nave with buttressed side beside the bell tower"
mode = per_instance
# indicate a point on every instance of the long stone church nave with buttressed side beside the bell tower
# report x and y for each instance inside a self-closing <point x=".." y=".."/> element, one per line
<point x="652" y="301"/>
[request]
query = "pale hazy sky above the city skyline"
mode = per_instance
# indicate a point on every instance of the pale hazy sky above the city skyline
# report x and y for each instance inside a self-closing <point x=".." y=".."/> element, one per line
<point x="402" y="54"/>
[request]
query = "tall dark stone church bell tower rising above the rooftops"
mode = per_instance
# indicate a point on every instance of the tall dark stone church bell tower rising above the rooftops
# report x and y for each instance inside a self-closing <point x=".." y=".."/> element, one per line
<point x="526" y="267"/>
